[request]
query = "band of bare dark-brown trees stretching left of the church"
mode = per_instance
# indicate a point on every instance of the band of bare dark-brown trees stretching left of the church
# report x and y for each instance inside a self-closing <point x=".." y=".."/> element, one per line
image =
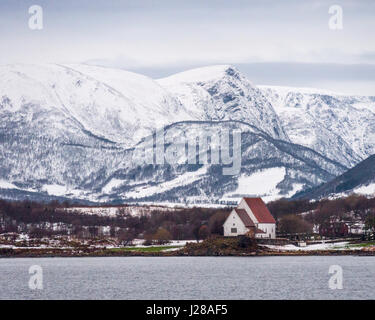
<point x="40" y="220"/>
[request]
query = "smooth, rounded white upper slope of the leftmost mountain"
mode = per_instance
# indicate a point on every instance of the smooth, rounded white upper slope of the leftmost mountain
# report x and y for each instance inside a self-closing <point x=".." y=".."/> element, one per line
<point x="113" y="104"/>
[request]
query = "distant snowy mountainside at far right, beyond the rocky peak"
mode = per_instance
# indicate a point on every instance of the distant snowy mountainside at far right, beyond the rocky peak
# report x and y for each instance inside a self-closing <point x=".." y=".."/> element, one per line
<point x="338" y="126"/>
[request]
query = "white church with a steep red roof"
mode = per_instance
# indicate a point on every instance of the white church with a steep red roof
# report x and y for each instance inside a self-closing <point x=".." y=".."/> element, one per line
<point x="252" y="218"/>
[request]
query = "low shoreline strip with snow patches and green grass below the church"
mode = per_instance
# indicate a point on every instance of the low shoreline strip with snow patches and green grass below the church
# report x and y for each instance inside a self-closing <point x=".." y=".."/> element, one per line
<point x="218" y="246"/>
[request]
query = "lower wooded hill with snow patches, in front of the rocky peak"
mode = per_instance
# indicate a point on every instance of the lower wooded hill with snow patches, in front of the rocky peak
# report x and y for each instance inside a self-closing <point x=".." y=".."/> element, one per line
<point x="289" y="168"/>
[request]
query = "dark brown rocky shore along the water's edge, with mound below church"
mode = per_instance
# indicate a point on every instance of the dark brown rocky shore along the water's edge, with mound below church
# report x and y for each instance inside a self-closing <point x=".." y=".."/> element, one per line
<point x="217" y="246"/>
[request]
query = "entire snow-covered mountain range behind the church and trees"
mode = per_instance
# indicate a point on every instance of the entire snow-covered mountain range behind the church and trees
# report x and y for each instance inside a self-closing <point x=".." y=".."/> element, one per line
<point x="70" y="131"/>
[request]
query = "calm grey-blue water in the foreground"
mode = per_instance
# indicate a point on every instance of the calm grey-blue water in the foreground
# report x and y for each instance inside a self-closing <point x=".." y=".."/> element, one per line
<point x="189" y="278"/>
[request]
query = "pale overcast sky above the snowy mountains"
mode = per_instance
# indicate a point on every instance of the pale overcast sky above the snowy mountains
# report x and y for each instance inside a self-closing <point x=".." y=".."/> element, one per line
<point x="272" y="42"/>
